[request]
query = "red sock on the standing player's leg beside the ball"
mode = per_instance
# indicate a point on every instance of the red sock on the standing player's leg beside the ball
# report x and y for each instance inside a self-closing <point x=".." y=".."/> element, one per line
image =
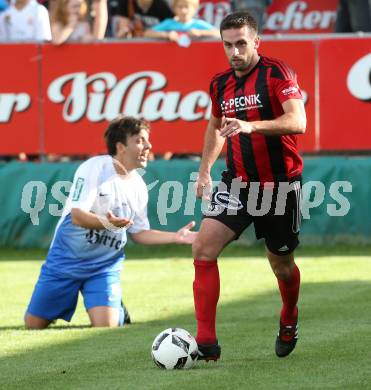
<point x="206" y="288"/>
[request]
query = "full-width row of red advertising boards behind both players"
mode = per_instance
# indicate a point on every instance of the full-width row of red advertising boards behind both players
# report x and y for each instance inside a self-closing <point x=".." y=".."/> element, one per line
<point x="60" y="99"/>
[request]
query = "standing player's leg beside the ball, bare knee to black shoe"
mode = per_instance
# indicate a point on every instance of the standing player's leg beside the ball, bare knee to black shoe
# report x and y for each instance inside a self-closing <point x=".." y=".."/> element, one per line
<point x="211" y="240"/>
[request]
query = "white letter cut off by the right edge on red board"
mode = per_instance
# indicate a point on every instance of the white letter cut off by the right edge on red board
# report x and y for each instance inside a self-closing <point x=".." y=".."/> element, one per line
<point x="359" y="79"/>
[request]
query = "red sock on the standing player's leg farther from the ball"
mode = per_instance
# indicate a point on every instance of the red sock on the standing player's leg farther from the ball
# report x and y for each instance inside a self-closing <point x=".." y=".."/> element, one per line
<point x="290" y="293"/>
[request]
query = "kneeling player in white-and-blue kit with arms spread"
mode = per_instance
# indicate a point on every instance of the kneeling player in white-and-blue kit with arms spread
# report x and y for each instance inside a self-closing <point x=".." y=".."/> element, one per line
<point x="108" y="198"/>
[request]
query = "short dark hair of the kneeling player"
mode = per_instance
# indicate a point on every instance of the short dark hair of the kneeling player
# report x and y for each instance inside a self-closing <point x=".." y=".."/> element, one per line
<point x="120" y="129"/>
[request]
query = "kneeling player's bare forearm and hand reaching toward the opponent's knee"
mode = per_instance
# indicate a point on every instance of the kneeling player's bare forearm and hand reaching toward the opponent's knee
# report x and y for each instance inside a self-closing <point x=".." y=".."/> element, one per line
<point x="156" y="237"/>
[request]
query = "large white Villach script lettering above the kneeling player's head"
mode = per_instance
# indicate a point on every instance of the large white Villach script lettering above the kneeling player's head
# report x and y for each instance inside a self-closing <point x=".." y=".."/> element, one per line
<point x="102" y="97"/>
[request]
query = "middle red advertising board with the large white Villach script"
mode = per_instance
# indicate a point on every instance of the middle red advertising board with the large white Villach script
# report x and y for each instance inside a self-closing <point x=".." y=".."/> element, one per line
<point x="99" y="82"/>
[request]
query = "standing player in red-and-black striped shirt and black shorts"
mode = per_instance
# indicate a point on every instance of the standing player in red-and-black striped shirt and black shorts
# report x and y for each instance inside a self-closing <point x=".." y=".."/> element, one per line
<point x="257" y="107"/>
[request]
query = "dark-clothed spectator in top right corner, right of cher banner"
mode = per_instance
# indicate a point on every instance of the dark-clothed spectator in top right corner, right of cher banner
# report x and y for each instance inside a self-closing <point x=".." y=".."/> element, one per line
<point x="353" y="16"/>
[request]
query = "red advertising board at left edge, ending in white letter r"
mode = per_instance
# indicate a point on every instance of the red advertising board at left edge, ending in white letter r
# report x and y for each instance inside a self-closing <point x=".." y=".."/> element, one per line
<point x="19" y="92"/>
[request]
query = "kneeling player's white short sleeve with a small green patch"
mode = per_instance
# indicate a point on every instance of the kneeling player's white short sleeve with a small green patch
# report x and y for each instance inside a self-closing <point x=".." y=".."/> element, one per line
<point x="84" y="188"/>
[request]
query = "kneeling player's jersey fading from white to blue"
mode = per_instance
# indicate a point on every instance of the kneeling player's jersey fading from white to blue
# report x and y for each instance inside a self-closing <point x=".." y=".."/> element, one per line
<point x="79" y="252"/>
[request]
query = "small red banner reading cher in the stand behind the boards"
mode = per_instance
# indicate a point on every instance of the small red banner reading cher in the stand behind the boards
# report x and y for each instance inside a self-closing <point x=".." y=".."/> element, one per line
<point x="301" y="17"/>
